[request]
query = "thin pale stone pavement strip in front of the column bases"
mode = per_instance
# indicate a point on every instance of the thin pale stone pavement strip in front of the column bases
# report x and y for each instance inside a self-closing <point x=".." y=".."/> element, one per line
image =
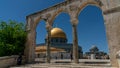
<point x="61" y="65"/>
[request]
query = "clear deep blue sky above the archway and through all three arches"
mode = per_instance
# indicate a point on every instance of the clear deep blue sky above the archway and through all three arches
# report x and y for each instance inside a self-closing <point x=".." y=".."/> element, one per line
<point x="91" y="29"/>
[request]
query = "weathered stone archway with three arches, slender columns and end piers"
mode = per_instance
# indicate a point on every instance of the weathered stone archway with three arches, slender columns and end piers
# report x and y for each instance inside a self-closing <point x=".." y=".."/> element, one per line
<point x="111" y="13"/>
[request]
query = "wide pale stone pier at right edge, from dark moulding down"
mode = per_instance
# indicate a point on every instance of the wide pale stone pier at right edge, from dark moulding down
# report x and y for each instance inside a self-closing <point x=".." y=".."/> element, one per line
<point x="112" y="23"/>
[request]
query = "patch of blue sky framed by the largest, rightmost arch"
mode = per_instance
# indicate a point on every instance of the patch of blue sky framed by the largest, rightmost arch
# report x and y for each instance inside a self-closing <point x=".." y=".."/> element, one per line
<point x="91" y="28"/>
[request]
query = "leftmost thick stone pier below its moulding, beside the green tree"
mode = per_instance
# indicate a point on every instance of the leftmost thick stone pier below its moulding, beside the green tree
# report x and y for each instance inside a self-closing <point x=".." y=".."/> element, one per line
<point x="30" y="47"/>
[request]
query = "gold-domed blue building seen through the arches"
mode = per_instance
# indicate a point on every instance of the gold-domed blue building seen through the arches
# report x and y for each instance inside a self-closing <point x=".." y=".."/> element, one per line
<point x="59" y="46"/>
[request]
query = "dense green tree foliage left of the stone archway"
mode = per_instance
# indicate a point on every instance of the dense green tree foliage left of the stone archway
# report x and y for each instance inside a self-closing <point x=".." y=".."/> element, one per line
<point x="12" y="38"/>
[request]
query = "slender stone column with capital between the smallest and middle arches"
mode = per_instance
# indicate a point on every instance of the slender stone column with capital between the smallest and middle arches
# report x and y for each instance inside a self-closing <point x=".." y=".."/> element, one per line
<point x="48" y="43"/>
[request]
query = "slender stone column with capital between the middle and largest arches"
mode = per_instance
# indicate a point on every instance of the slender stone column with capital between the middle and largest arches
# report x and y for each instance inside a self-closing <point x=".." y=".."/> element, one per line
<point x="75" y="40"/>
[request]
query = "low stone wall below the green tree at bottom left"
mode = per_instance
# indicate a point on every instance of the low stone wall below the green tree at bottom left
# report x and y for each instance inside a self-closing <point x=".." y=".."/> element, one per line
<point x="8" y="61"/>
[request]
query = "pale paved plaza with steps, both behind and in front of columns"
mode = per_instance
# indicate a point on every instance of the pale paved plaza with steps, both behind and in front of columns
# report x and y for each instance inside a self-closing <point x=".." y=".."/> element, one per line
<point x="66" y="63"/>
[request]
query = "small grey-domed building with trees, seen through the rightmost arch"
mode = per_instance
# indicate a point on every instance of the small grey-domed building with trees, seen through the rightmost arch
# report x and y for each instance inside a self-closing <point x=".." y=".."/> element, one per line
<point x="94" y="53"/>
